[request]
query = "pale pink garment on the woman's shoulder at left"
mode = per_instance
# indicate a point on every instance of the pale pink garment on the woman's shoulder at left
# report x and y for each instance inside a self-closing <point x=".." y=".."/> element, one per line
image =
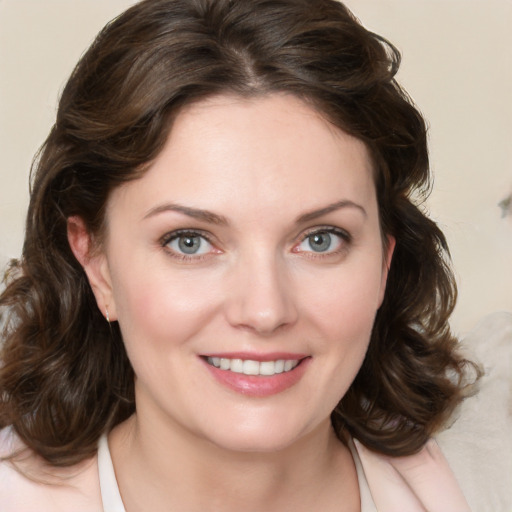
<point x="30" y="486"/>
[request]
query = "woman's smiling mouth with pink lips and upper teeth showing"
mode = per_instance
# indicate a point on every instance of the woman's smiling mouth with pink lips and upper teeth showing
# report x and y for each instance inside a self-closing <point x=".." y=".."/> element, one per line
<point x="257" y="375"/>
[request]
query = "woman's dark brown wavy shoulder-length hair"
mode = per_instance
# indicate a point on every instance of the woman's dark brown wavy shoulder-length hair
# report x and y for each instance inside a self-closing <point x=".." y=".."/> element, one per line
<point x="65" y="377"/>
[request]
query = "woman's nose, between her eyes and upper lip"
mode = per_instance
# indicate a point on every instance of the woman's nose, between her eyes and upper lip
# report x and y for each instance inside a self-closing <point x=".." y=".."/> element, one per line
<point x="260" y="296"/>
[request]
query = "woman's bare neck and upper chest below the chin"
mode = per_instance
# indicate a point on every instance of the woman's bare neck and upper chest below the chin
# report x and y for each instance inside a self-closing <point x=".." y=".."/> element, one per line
<point x="164" y="470"/>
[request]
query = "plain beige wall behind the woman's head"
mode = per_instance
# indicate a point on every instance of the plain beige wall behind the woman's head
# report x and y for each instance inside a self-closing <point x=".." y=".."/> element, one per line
<point x="457" y="65"/>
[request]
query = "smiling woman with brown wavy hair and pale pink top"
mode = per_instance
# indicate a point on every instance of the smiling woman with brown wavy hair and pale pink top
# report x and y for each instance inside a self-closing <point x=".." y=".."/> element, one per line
<point x="226" y="284"/>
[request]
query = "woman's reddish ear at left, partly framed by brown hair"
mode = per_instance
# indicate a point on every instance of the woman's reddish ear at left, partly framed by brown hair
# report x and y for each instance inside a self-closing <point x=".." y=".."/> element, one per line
<point x="94" y="263"/>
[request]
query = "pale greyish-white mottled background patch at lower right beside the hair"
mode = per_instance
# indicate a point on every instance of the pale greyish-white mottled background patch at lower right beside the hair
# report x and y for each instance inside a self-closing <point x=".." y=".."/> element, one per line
<point x="478" y="445"/>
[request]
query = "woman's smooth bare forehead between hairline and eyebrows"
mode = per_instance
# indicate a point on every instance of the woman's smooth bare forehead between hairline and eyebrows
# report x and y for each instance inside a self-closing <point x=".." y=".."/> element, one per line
<point x="273" y="152"/>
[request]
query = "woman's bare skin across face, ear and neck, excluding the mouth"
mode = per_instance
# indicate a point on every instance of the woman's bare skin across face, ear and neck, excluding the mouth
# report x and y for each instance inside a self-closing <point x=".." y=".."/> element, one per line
<point x="258" y="284"/>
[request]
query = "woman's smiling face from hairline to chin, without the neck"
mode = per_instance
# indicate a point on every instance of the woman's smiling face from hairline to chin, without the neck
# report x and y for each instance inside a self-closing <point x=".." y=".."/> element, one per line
<point x="245" y="269"/>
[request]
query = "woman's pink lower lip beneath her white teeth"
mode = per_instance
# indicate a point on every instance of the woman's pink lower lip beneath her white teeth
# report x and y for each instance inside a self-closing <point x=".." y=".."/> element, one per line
<point x="259" y="385"/>
